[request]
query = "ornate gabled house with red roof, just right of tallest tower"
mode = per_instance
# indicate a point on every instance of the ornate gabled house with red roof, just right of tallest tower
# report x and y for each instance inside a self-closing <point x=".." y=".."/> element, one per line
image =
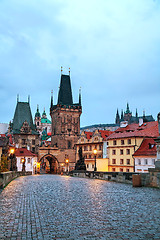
<point x="90" y="141"/>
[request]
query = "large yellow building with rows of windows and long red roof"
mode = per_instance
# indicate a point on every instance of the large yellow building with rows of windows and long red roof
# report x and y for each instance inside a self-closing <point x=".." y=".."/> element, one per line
<point x="123" y="143"/>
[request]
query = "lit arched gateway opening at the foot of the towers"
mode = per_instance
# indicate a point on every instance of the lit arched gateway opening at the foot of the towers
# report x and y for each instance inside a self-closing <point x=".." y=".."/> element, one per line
<point x="49" y="164"/>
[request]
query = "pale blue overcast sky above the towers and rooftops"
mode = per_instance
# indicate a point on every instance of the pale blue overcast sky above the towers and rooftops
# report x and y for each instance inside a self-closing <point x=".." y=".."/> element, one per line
<point x="111" y="46"/>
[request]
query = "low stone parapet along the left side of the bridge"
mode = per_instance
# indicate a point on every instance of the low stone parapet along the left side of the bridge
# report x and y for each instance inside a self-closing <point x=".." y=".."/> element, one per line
<point x="6" y="177"/>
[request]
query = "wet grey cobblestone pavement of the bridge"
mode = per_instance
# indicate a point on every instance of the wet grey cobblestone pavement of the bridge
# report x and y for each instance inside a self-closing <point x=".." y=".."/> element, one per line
<point x="61" y="207"/>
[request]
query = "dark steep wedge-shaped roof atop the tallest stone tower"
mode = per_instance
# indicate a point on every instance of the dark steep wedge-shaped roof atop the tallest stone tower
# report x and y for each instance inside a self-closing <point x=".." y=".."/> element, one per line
<point x="65" y="92"/>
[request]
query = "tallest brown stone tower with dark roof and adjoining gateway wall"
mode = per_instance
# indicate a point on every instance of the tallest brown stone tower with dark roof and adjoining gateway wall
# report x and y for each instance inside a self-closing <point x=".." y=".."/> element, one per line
<point x="65" y="116"/>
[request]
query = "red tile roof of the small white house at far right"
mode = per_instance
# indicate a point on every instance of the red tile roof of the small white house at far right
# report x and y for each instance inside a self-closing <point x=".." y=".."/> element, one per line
<point x="147" y="148"/>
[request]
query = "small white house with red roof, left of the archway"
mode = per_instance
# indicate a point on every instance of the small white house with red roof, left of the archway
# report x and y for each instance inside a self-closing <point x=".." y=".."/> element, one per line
<point x="22" y="154"/>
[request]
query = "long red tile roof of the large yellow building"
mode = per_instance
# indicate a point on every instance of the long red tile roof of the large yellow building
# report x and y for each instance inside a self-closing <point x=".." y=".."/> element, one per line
<point x="149" y="129"/>
